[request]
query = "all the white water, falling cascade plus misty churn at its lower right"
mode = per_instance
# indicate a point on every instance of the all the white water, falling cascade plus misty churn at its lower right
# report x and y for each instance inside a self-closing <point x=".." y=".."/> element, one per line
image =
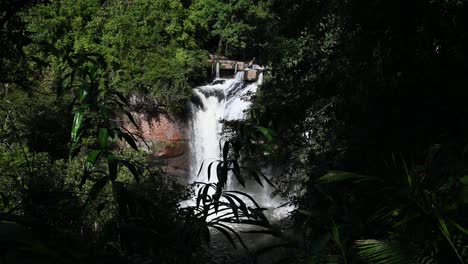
<point x="228" y="100"/>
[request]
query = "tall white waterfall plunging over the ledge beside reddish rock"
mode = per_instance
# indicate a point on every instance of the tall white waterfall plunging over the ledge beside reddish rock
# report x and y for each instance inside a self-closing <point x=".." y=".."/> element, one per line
<point x="224" y="99"/>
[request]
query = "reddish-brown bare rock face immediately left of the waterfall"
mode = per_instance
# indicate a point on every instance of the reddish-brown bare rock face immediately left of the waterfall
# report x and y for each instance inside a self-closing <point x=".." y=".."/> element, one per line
<point x="166" y="138"/>
